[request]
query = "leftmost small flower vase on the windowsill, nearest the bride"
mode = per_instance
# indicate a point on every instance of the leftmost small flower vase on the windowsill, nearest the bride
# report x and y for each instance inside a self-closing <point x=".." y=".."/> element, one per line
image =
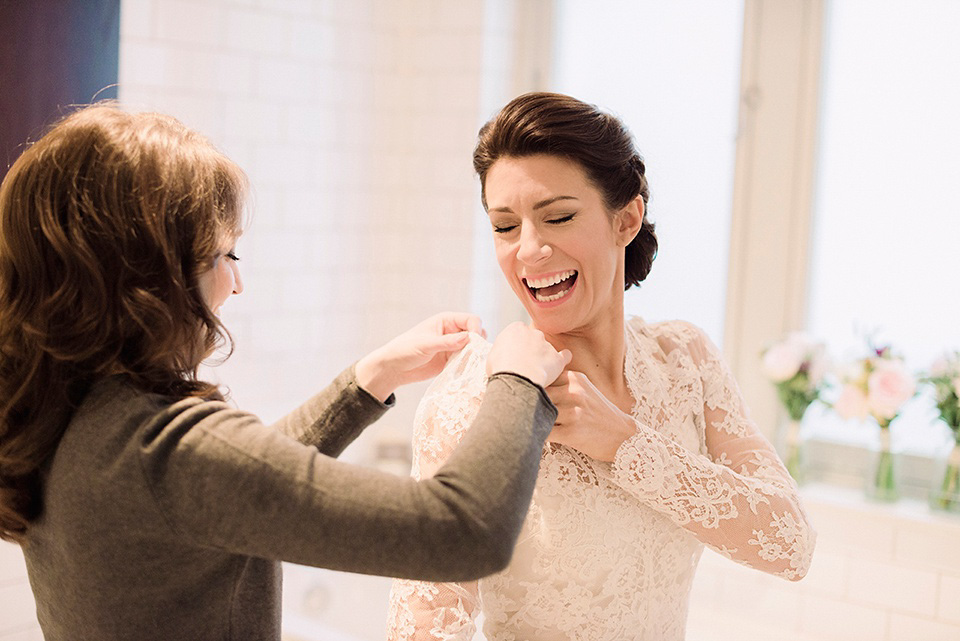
<point x="796" y="366"/>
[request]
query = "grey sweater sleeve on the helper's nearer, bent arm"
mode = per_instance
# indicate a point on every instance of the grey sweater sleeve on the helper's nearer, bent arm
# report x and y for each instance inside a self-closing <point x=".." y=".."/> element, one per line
<point x="222" y="479"/>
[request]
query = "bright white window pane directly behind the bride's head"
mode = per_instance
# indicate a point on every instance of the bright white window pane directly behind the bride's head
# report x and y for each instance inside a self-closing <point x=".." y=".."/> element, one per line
<point x="671" y="71"/>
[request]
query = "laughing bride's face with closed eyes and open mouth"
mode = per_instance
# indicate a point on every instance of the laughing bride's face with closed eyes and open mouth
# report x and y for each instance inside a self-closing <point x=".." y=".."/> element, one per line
<point x="558" y="246"/>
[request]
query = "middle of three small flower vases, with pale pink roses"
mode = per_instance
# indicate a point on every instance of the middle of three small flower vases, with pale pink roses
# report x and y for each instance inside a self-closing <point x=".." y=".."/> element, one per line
<point x="877" y="386"/>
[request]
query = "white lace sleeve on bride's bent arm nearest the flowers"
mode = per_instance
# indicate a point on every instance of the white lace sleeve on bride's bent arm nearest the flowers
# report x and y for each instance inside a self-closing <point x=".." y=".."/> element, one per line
<point x="739" y="499"/>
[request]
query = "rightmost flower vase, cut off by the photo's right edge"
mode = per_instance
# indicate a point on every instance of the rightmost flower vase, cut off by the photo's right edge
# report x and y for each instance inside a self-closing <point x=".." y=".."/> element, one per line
<point x="944" y="377"/>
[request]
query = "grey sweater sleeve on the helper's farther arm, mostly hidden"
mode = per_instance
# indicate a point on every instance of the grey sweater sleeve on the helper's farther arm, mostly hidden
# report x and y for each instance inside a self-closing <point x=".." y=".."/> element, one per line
<point x="334" y="417"/>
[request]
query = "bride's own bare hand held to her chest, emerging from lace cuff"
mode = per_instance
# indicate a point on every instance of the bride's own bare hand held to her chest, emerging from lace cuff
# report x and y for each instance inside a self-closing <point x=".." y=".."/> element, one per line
<point x="587" y="421"/>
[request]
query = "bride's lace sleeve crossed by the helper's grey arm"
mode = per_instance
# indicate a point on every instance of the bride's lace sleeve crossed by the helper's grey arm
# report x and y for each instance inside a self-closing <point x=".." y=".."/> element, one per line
<point x="421" y="610"/>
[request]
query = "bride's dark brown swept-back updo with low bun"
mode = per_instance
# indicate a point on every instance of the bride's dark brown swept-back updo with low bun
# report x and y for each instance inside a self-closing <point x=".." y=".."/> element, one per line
<point x="560" y="125"/>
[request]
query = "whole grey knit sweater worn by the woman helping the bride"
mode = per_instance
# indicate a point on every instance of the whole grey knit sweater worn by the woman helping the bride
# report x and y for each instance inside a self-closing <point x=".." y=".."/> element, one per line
<point x="167" y="520"/>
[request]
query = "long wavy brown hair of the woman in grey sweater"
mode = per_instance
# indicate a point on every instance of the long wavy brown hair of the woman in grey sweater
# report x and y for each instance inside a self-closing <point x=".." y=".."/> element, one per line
<point x="106" y="223"/>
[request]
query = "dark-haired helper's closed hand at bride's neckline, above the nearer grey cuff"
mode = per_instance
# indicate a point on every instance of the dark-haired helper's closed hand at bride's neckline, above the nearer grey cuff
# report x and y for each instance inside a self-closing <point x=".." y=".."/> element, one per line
<point x="523" y="350"/>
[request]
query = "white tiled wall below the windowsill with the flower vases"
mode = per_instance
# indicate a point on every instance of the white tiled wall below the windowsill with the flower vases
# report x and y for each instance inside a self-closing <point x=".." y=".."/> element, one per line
<point x="861" y="586"/>
